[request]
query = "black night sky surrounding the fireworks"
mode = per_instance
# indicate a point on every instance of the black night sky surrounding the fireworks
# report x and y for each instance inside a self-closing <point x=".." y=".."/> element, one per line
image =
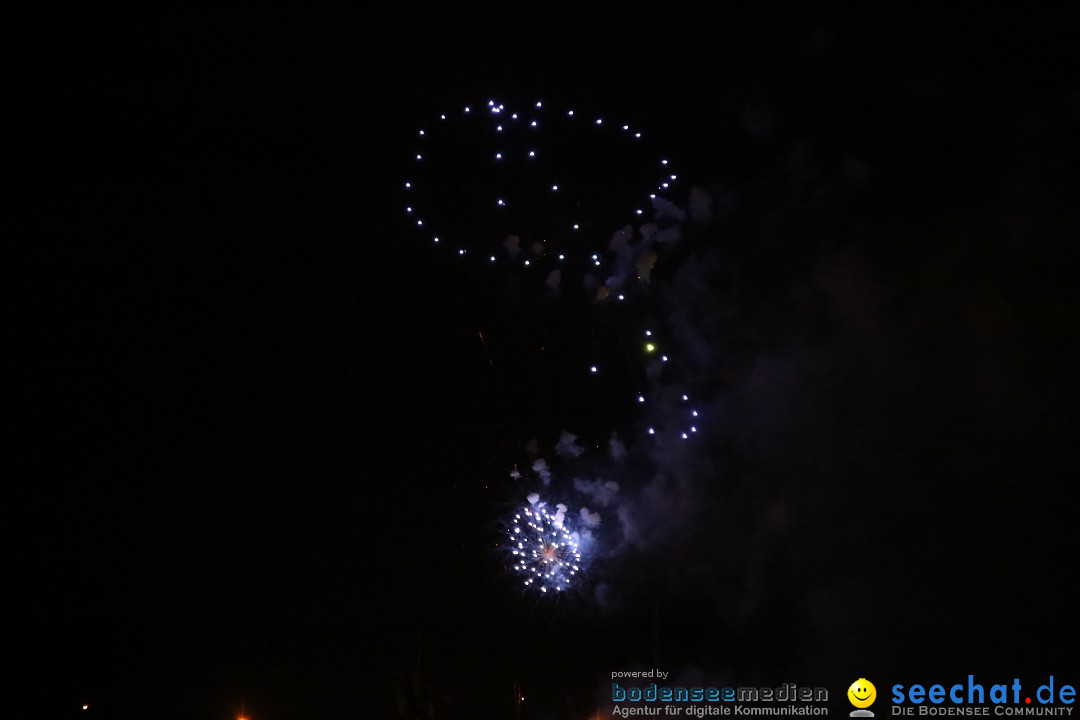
<point x="247" y="407"/>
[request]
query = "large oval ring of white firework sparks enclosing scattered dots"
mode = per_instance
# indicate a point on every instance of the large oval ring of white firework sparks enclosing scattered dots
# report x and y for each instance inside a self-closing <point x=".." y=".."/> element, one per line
<point x="560" y="181"/>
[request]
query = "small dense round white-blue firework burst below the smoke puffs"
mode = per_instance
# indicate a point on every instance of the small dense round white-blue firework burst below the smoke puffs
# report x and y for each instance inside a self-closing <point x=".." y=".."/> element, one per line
<point x="547" y="554"/>
